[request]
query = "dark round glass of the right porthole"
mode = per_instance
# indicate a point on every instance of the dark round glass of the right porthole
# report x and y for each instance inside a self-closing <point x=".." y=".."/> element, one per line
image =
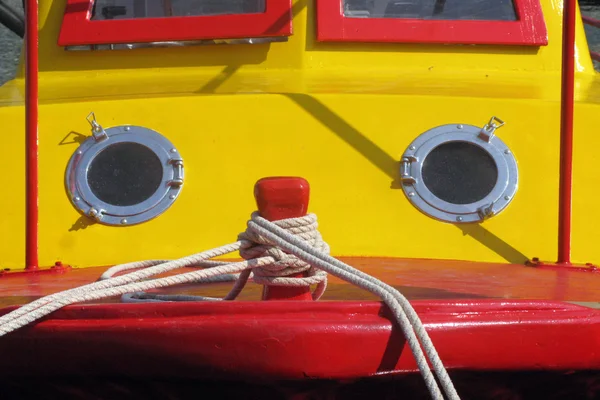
<point x="459" y="172"/>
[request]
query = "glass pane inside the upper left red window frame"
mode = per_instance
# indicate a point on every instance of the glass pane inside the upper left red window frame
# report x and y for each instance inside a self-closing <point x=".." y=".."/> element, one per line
<point x="129" y="9"/>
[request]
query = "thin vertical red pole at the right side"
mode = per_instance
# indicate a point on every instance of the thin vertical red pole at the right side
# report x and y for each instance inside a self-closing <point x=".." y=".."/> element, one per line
<point x="566" y="132"/>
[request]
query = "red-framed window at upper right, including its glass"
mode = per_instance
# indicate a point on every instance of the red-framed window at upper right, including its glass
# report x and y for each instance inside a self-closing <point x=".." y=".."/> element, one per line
<point x="505" y="22"/>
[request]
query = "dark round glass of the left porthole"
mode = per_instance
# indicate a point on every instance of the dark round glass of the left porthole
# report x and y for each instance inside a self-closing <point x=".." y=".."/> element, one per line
<point x="125" y="174"/>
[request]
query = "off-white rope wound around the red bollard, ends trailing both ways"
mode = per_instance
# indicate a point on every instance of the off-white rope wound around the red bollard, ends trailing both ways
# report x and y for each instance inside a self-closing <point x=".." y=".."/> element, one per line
<point x="271" y="250"/>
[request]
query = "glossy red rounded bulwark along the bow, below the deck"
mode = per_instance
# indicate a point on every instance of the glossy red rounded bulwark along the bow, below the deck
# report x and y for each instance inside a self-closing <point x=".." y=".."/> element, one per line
<point x="271" y="340"/>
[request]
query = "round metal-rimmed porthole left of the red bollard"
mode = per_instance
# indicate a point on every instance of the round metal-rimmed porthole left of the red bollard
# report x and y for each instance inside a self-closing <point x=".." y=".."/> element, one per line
<point x="124" y="175"/>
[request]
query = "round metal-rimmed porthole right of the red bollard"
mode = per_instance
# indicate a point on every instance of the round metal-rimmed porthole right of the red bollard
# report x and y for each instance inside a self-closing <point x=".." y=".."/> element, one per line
<point x="460" y="173"/>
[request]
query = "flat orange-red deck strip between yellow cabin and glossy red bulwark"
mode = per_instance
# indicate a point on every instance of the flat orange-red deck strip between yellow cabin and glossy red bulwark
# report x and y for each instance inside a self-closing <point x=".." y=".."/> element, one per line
<point x="417" y="279"/>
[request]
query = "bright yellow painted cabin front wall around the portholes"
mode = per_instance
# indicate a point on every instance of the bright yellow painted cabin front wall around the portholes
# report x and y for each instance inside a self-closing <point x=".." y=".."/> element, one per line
<point x="339" y="115"/>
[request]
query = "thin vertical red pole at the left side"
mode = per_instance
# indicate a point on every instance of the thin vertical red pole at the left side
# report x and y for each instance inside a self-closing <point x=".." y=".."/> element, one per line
<point x="31" y="132"/>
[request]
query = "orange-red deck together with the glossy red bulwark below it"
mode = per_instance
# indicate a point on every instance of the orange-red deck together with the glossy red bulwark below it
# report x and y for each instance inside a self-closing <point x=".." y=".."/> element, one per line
<point x="484" y="317"/>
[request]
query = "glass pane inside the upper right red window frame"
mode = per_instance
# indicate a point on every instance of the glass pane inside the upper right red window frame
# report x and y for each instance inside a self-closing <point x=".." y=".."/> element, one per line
<point x="492" y="10"/>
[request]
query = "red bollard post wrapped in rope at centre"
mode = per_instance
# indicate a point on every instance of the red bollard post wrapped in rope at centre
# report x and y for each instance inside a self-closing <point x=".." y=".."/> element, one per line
<point x="280" y="198"/>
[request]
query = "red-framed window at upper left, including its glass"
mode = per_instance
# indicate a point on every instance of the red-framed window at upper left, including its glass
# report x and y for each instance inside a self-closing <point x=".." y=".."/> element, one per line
<point x="98" y="22"/>
